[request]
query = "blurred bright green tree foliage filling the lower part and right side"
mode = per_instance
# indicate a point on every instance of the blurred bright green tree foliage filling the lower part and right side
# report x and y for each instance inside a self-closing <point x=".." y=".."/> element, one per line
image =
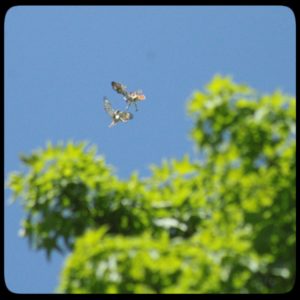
<point x="223" y="223"/>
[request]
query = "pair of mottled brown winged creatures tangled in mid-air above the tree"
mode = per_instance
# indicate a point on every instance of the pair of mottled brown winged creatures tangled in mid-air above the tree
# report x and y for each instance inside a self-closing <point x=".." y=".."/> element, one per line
<point x="129" y="97"/>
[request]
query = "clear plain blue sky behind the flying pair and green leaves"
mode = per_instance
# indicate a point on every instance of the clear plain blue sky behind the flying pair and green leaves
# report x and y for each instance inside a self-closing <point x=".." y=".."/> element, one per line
<point x="59" y="64"/>
